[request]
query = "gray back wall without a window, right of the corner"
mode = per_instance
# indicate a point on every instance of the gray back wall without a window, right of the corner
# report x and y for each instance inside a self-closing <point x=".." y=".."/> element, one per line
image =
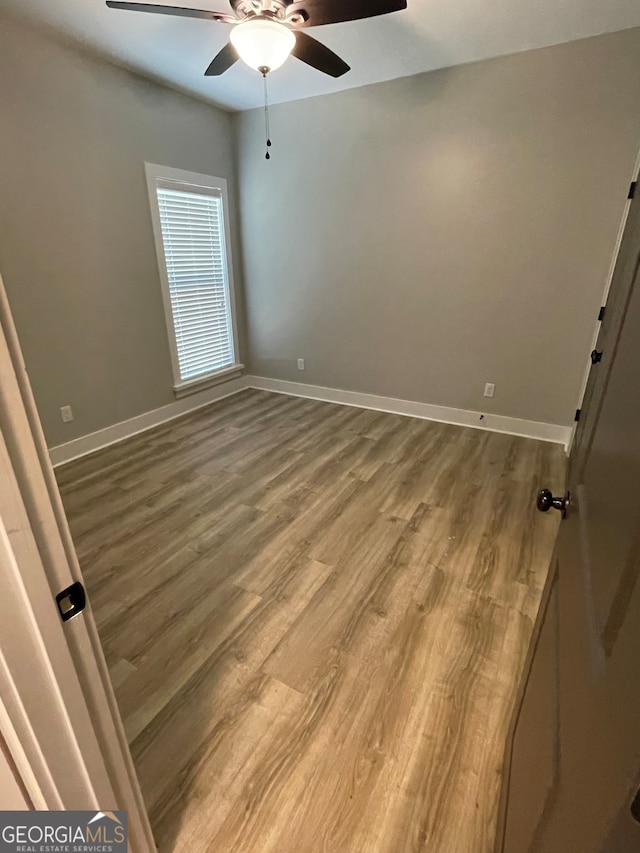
<point x="421" y="237"/>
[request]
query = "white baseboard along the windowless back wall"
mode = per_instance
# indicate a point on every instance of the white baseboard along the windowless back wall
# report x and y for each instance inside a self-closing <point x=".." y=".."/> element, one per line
<point x="555" y="433"/>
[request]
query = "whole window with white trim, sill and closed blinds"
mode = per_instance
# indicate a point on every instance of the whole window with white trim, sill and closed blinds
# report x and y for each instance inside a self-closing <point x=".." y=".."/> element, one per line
<point x="191" y="227"/>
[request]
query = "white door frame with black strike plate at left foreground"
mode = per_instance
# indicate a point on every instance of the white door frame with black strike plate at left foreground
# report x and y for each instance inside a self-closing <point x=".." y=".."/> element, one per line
<point x="58" y="712"/>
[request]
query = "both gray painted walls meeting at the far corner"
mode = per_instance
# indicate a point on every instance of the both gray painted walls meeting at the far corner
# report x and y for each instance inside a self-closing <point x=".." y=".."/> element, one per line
<point x="411" y="239"/>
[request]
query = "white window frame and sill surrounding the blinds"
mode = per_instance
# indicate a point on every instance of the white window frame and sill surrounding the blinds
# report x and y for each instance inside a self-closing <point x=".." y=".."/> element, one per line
<point x="179" y="179"/>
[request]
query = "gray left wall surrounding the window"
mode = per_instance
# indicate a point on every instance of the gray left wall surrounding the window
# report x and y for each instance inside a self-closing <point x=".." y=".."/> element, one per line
<point x="76" y="245"/>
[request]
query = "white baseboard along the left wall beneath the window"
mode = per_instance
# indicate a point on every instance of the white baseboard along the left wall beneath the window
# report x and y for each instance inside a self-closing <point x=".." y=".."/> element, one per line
<point x="125" y="429"/>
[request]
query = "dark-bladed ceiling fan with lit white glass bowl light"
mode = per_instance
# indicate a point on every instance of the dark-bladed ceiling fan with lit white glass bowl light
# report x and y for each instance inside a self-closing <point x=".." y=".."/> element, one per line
<point x="266" y="32"/>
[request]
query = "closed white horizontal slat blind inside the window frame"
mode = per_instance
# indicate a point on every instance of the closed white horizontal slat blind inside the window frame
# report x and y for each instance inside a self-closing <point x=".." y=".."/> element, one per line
<point x="192" y="223"/>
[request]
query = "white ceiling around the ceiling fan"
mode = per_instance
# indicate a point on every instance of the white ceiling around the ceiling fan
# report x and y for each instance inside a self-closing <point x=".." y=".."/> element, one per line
<point x="429" y="34"/>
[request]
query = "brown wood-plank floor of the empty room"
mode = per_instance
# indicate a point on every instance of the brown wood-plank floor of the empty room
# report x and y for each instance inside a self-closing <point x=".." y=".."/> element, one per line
<point x="315" y="618"/>
